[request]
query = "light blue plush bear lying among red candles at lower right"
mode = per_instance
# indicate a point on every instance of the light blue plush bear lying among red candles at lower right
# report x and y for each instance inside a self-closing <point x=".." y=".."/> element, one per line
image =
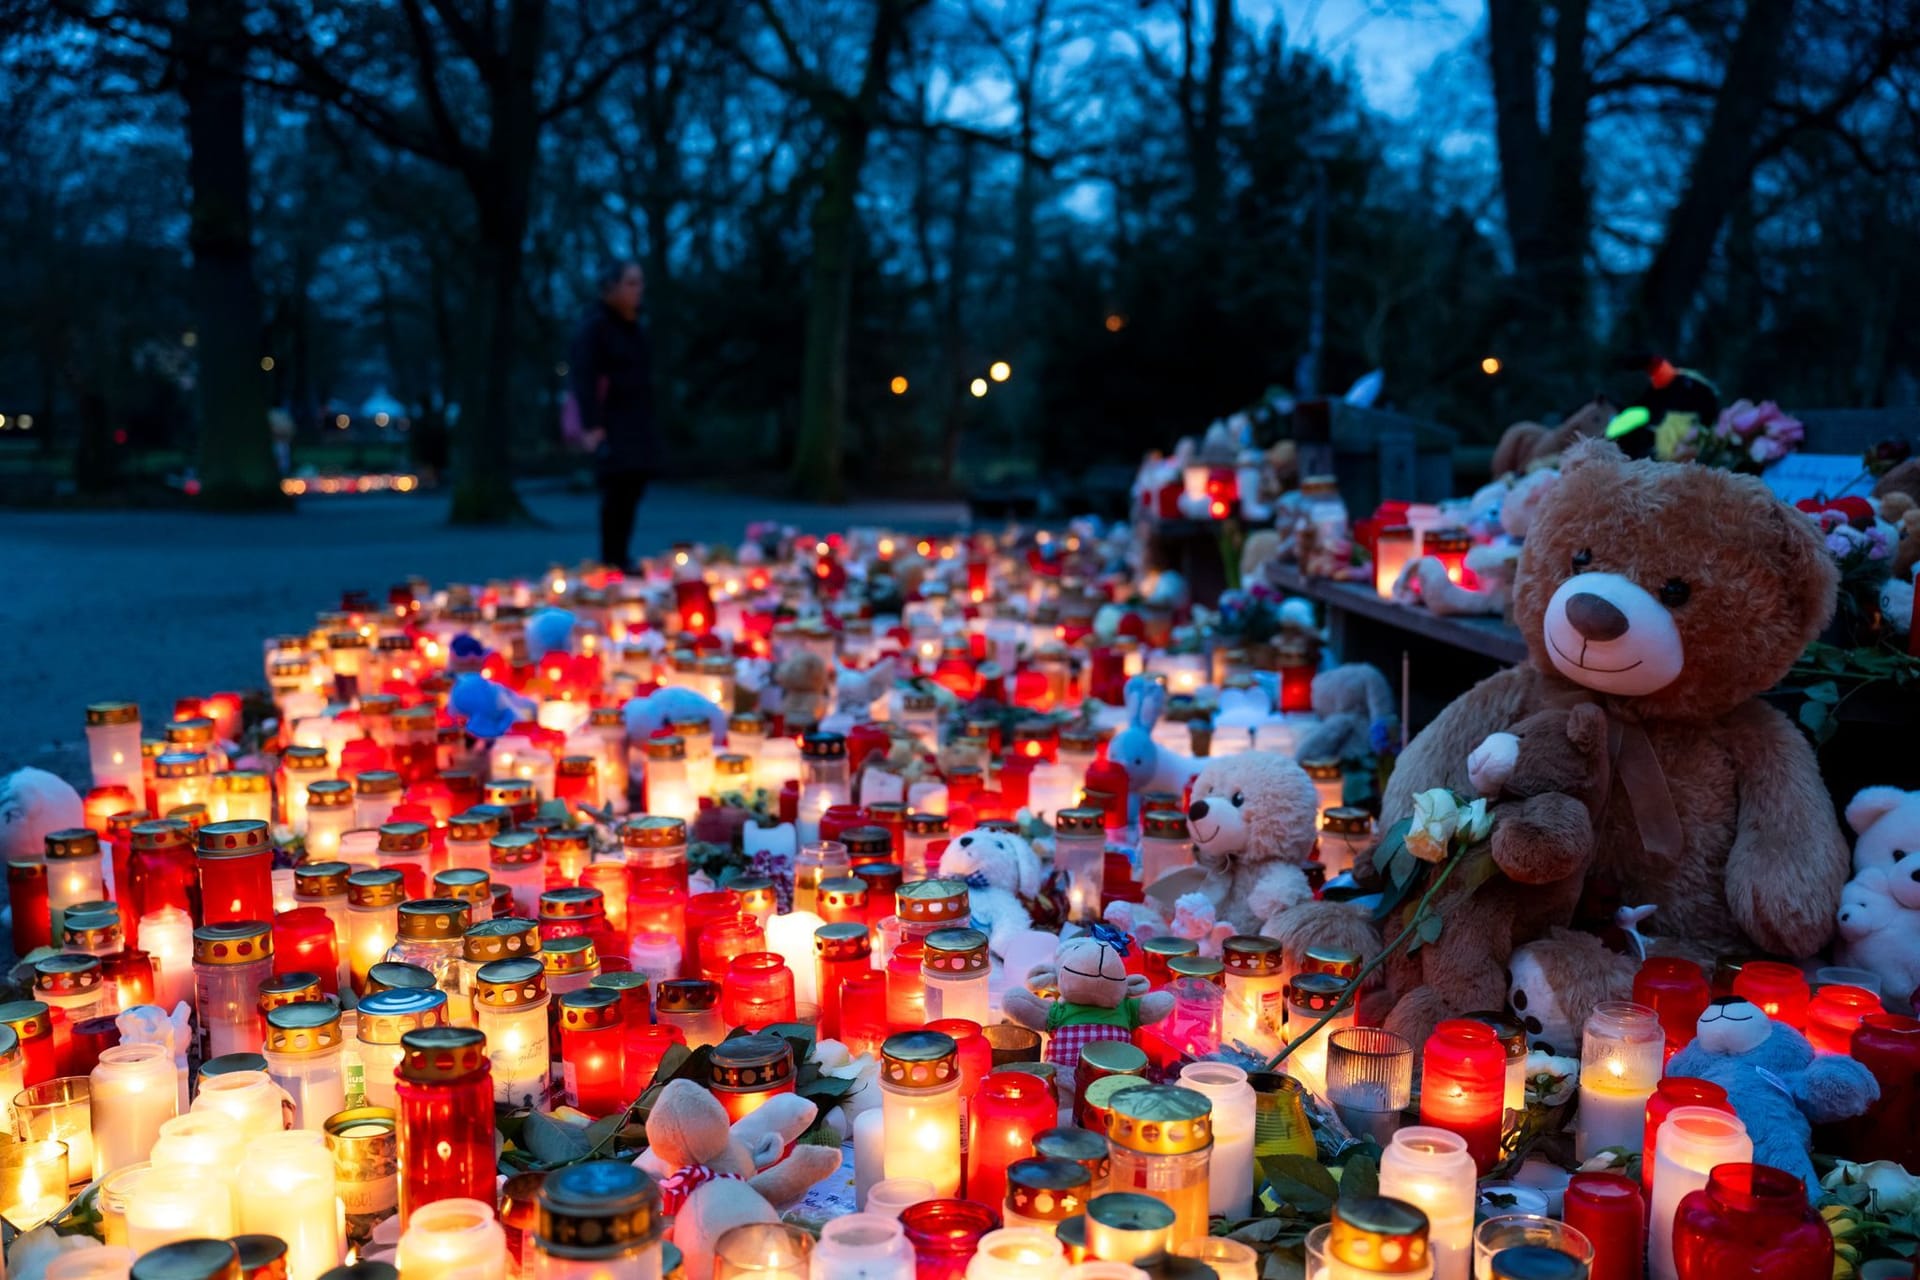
<point x="1781" y="1089"/>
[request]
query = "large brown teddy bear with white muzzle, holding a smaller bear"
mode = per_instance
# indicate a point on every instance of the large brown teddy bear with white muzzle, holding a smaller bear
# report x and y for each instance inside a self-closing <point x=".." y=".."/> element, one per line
<point x="1671" y="596"/>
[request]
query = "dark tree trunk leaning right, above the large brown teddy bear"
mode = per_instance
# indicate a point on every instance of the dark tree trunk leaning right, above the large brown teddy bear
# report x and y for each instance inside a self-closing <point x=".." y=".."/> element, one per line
<point x="1719" y="176"/>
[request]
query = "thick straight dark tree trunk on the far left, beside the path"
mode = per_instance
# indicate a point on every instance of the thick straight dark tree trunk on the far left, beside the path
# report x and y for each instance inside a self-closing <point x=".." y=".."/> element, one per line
<point x="237" y="467"/>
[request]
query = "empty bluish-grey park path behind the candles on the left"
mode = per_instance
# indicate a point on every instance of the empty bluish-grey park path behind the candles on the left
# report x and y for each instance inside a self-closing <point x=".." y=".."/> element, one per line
<point x="153" y="605"/>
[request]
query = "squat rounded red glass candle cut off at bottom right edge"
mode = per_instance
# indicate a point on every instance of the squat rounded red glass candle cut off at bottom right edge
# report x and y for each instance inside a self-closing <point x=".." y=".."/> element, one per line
<point x="1752" y="1221"/>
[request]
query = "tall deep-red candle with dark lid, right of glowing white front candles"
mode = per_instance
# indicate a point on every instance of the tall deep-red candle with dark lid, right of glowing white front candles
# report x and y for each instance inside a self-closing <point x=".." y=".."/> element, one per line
<point x="446" y="1118"/>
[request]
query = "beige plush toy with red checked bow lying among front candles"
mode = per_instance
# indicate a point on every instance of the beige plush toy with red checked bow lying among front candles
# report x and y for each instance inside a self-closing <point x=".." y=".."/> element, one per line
<point x="715" y="1177"/>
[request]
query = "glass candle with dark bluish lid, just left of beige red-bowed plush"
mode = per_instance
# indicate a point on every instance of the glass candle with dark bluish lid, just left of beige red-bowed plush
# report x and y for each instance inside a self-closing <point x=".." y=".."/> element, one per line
<point x="598" y="1220"/>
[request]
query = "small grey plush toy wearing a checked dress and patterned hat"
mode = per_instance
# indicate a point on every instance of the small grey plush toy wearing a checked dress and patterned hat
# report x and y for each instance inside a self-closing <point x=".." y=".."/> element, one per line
<point x="1099" y="999"/>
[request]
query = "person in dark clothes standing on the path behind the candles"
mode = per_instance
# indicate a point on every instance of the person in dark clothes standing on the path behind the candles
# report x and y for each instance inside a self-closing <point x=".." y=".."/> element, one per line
<point x="613" y="398"/>
